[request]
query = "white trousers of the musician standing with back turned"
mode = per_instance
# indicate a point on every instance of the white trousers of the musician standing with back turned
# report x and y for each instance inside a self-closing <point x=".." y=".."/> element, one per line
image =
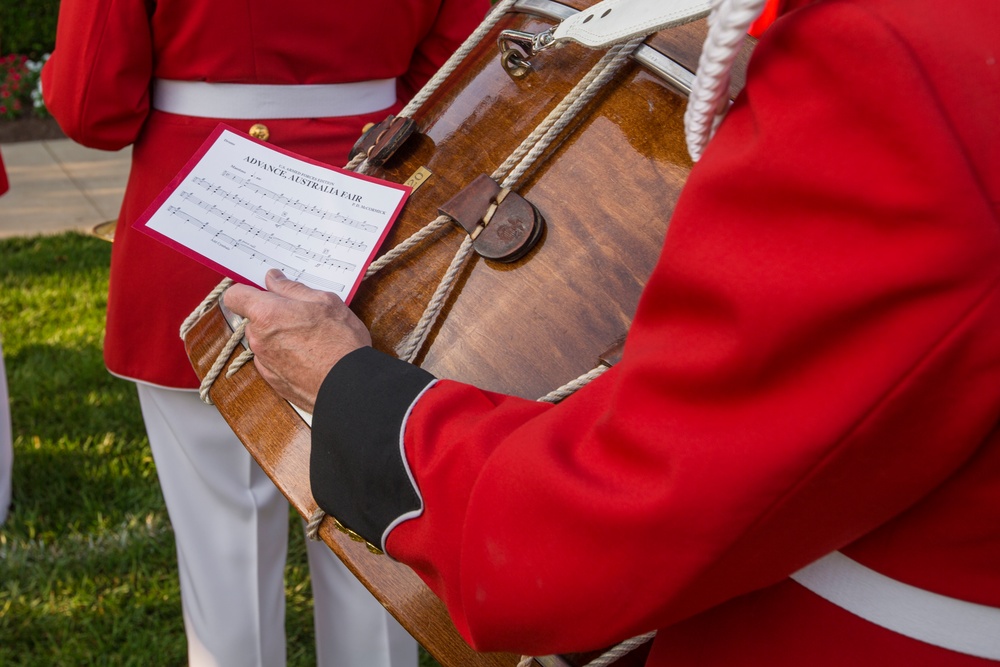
<point x="231" y="527"/>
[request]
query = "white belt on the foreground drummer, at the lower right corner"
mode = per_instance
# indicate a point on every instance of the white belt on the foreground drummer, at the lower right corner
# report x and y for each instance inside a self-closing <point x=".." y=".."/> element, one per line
<point x="957" y="625"/>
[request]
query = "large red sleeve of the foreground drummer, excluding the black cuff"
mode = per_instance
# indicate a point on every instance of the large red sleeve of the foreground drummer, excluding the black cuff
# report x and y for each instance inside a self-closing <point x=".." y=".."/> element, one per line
<point x="817" y="349"/>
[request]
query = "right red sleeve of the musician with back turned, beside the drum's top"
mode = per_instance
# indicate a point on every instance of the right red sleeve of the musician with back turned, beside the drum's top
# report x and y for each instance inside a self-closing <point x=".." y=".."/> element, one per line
<point x="455" y="20"/>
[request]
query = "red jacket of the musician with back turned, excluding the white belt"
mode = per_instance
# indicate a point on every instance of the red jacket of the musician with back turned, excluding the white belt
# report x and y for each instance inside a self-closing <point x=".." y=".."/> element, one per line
<point x="97" y="86"/>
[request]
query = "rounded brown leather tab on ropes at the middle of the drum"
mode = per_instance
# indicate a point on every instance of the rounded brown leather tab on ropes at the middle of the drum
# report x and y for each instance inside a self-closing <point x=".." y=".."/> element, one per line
<point x="503" y="225"/>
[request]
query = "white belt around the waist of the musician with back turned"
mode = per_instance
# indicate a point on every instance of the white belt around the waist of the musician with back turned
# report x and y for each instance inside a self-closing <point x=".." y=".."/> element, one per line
<point x="262" y="102"/>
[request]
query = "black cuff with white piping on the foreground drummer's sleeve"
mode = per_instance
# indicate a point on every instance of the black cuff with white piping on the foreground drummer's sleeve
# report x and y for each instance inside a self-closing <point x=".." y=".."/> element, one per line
<point x="356" y="468"/>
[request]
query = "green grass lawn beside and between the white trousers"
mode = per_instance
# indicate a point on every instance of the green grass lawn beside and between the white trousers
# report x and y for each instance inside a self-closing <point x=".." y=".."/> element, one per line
<point x="87" y="567"/>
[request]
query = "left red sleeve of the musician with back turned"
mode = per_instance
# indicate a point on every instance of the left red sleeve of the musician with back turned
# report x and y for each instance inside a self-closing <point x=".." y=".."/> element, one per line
<point x="96" y="84"/>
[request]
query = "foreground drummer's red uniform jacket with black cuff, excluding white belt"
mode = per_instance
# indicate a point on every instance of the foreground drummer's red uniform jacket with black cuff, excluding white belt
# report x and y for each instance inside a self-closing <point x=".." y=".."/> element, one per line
<point x="814" y="366"/>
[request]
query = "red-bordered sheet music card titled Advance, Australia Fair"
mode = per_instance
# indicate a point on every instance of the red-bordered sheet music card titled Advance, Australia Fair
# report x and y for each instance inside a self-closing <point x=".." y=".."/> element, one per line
<point x="243" y="207"/>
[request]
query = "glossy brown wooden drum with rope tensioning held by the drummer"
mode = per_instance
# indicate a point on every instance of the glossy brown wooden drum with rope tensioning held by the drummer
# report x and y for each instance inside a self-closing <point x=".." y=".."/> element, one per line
<point x="605" y="189"/>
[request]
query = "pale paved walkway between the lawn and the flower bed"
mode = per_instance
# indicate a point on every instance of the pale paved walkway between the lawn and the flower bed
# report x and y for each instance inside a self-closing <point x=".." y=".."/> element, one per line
<point x="58" y="185"/>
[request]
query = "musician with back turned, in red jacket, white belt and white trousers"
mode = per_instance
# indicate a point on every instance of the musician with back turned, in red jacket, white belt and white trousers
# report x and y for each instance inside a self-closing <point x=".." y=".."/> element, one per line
<point x="160" y="76"/>
